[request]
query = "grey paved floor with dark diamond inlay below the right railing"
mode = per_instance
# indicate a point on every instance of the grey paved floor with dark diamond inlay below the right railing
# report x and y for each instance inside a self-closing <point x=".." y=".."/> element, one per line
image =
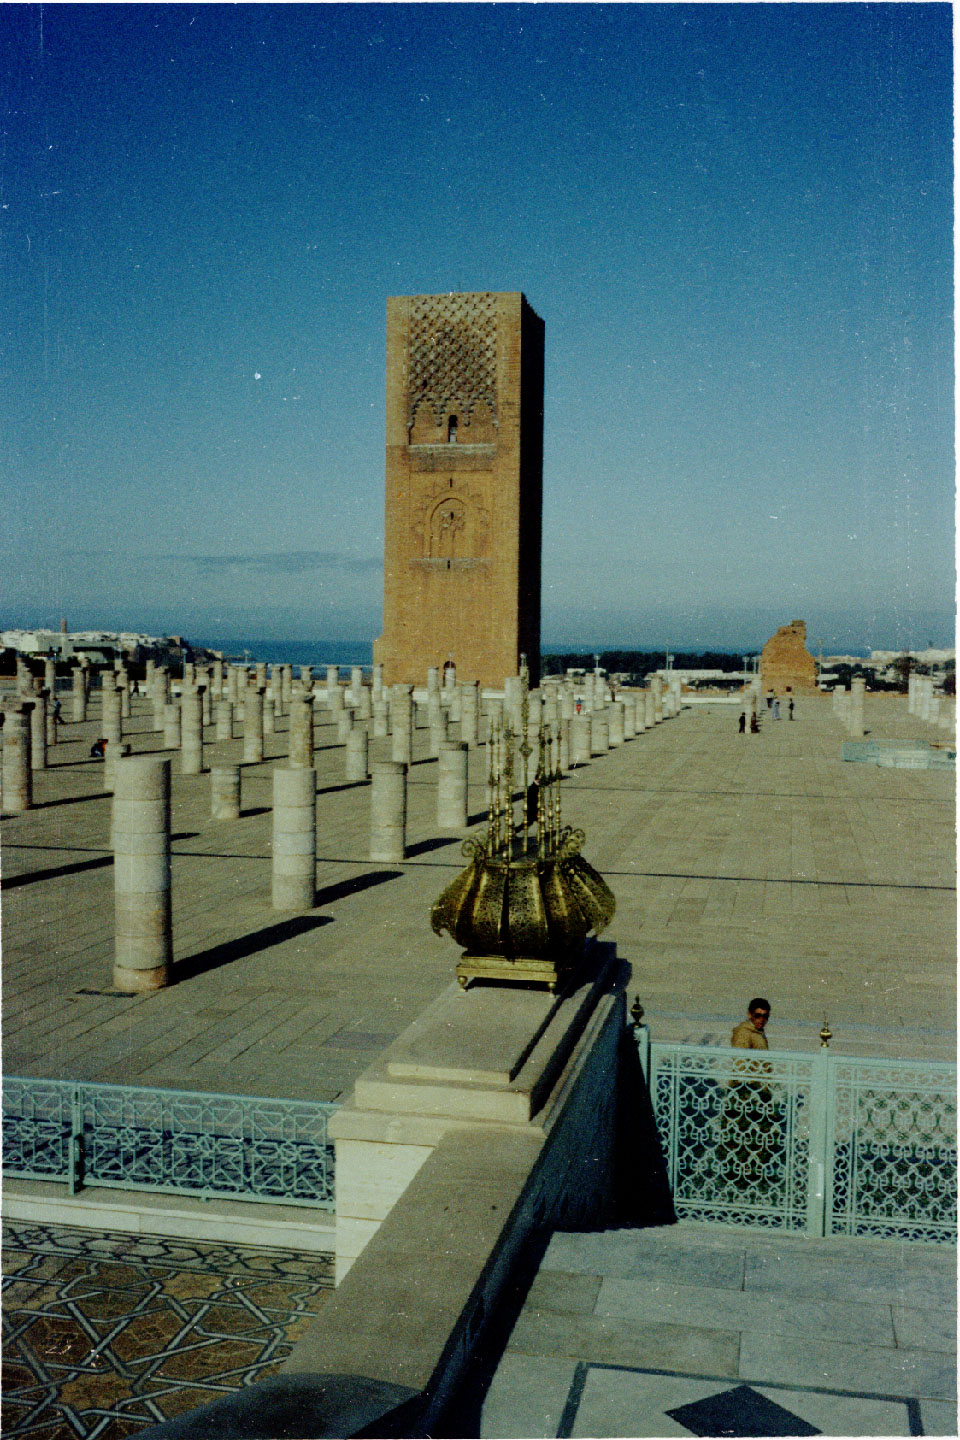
<point x="690" y="1331"/>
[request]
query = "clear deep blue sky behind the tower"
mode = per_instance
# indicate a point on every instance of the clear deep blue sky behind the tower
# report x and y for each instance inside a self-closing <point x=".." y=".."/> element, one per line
<point x="736" y="222"/>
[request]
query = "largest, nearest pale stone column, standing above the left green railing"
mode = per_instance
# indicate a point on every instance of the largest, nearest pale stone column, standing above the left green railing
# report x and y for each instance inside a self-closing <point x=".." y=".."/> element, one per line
<point x="142" y="875"/>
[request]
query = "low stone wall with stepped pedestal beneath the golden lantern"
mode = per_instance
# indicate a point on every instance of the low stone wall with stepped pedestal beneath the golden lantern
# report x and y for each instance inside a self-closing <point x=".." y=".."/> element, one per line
<point x="420" y="1298"/>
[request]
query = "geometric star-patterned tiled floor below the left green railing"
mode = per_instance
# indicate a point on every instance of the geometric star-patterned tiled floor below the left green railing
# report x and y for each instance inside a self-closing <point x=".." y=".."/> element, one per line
<point x="106" y="1334"/>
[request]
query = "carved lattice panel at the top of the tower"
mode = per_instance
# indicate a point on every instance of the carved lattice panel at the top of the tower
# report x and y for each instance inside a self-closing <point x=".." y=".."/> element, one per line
<point x="453" y="356"/>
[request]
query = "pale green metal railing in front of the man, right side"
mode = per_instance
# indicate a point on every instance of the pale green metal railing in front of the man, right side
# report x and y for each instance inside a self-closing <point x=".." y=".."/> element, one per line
<point x="824" y="1144"/>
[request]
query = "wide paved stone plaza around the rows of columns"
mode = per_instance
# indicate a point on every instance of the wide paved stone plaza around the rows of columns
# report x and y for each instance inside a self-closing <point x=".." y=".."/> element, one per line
<point x="742" y="865"/>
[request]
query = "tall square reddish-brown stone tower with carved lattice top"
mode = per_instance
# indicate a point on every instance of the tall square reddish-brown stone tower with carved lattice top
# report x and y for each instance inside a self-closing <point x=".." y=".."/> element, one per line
<point x="466" y="379"/>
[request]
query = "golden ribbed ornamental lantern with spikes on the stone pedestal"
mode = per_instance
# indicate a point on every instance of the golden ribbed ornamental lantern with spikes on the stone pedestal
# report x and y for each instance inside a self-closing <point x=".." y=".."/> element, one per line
<point x="529" y="899"/>
